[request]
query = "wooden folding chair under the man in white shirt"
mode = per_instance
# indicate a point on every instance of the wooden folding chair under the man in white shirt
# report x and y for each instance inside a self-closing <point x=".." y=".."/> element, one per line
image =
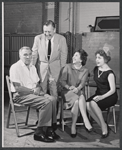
<point x="12" y="109"/>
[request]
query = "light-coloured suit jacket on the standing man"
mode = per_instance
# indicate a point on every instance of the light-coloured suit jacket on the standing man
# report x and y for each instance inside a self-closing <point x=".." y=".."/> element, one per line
<point x="58" y="56"/>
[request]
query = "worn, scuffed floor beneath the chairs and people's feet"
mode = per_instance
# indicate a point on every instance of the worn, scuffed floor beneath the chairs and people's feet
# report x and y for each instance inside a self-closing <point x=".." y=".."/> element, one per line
<point x="83" y="138"/>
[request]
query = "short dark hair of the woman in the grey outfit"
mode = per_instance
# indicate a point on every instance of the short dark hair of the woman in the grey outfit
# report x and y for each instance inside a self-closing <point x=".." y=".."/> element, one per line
<point x="83" y="56"/>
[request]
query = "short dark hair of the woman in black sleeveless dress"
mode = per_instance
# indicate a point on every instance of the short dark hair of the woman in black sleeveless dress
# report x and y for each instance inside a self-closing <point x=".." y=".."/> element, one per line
<point x="104" y="54"/>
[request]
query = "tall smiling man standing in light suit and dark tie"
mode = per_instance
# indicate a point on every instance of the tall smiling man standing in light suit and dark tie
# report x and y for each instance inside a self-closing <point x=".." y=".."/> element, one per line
<point x="50" y="49"/>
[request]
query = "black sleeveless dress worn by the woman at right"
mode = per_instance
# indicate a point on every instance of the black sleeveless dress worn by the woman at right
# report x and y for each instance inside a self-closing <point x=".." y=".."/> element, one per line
<point x="102" y="88"/>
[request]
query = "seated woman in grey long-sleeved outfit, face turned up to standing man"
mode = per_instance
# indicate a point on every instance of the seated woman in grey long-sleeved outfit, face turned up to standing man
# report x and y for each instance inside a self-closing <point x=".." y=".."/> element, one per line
<point x="73" y="79"/>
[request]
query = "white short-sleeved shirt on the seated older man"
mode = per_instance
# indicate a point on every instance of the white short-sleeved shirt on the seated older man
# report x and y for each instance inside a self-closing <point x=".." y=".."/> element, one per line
<point x="21" y="74"/>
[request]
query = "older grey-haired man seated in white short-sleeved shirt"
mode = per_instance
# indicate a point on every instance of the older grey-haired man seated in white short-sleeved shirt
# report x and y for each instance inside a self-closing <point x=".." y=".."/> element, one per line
<point x="27" y="91"/>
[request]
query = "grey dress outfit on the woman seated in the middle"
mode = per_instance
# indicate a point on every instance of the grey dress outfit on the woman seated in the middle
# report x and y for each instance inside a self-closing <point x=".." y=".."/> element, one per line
<point x="72" y="76"/>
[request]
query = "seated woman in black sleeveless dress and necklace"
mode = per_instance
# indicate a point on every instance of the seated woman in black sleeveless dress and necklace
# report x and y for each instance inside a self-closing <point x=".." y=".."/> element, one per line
<point x="106" y="94"/>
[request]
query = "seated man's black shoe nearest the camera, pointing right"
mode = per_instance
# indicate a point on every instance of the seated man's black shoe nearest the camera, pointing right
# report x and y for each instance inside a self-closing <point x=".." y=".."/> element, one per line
<point x="43" y="138"/>
